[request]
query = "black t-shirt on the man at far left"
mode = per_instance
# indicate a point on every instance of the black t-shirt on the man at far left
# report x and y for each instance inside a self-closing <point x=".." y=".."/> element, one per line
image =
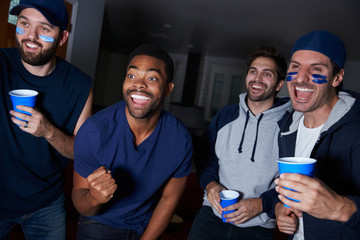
<point x="31" y="169"/>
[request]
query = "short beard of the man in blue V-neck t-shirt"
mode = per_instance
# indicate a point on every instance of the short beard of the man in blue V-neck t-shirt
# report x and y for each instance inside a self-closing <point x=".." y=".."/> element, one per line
<point x="153" y="107"/>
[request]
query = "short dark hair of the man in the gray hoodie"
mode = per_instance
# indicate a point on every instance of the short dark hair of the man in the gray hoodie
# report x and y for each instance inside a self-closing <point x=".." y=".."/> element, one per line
<point x="269" y="52"/>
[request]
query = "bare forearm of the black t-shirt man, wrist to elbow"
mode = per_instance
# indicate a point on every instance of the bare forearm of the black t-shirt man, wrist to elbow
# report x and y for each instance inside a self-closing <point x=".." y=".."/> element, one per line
<point x="63" y="143"/>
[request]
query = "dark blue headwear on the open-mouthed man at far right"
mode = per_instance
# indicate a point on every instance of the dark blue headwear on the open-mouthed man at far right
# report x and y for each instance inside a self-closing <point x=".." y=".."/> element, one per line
<point x="323" y="42"/>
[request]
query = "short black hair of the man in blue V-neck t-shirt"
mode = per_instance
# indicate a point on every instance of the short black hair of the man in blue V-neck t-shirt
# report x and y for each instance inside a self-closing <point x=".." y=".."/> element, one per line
<point x="156" y="52"/>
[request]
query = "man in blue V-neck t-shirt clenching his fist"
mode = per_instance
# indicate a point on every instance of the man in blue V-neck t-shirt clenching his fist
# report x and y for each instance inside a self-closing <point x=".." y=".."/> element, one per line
<point x="132" y="159"/>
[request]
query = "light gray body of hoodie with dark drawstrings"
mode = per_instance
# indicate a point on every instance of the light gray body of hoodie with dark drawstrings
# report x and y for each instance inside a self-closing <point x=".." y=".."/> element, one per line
<point x="246" y="148"/>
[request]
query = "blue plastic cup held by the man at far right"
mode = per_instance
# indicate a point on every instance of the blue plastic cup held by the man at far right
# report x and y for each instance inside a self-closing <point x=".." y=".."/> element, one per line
<point x="305" y="166"/>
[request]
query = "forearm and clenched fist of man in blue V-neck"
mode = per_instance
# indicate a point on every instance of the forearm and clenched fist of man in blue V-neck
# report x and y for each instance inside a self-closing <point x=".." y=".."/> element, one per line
<point x="89" y="194"/>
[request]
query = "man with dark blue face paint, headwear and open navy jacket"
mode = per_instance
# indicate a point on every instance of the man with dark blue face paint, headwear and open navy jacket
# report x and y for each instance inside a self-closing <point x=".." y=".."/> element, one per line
<point x="322" y="126"/>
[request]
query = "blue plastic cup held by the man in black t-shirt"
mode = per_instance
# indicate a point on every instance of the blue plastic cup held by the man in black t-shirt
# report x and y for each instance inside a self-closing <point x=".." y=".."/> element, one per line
<point x="23" y="97"/>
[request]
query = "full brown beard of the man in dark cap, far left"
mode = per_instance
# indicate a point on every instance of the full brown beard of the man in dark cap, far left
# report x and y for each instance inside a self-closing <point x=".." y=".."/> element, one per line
<point x="36" y="59"/>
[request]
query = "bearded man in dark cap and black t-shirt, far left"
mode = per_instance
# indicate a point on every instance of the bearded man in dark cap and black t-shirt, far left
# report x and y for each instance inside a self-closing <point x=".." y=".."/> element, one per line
<point x="35" y="150"/>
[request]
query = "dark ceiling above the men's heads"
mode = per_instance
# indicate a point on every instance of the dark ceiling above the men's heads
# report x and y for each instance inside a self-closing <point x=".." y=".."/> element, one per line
<point x="227" y="28"/>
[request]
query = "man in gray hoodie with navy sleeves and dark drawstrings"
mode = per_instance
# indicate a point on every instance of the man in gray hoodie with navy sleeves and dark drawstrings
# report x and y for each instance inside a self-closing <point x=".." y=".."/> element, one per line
<point x="239" y="152"/>
